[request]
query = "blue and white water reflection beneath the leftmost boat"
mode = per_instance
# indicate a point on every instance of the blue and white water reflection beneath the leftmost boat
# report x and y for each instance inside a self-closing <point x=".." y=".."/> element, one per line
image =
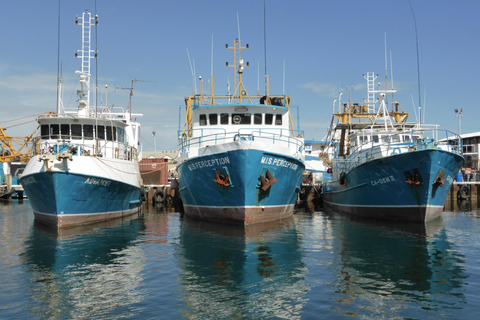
<point x="86" y="271"/>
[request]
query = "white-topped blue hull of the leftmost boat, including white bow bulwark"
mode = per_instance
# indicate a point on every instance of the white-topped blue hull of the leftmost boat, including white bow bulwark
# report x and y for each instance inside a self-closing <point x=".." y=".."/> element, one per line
<point x="67" y="198"/>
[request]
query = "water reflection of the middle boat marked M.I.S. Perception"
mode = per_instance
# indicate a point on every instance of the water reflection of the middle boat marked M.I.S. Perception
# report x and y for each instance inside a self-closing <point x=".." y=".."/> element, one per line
<point x="237" y="272"/>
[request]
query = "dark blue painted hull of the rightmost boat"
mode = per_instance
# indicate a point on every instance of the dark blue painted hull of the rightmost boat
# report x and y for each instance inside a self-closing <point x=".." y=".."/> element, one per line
<point x="378" y="188"/>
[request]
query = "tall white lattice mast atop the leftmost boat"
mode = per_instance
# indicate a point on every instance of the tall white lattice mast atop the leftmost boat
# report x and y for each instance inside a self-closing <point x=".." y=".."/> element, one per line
<point x="85" y="54"/>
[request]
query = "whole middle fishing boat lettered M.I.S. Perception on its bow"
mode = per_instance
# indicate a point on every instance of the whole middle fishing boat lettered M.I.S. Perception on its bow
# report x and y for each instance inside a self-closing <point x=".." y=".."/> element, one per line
<point x="239" y="161"/>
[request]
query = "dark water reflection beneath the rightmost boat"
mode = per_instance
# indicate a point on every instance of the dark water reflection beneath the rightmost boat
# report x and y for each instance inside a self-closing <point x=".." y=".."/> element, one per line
<point x="386" y="267"/>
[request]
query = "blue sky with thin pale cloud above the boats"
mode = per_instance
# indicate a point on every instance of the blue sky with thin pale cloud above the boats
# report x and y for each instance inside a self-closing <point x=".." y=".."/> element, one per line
<point x="325" y="46"/>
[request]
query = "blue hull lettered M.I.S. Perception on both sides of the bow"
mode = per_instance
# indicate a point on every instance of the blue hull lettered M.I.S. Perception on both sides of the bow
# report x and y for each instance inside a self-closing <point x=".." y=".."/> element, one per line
<point x="243" y="200"/>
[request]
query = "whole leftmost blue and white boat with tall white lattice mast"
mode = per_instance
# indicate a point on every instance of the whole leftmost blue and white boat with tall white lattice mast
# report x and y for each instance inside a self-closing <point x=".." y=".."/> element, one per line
<point x="84" y="166"/>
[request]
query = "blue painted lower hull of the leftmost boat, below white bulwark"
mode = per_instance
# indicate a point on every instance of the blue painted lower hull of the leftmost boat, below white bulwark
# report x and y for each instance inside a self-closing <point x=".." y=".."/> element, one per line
<point x="66" y="199"/>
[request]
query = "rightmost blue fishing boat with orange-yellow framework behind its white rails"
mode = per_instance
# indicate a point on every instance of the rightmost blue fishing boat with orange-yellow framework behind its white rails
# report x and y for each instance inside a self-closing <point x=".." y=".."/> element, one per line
<point x="385" y="167"/>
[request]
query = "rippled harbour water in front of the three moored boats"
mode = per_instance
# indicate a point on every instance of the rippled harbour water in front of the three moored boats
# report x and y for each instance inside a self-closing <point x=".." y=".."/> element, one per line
<point x="158" y="265"/>
